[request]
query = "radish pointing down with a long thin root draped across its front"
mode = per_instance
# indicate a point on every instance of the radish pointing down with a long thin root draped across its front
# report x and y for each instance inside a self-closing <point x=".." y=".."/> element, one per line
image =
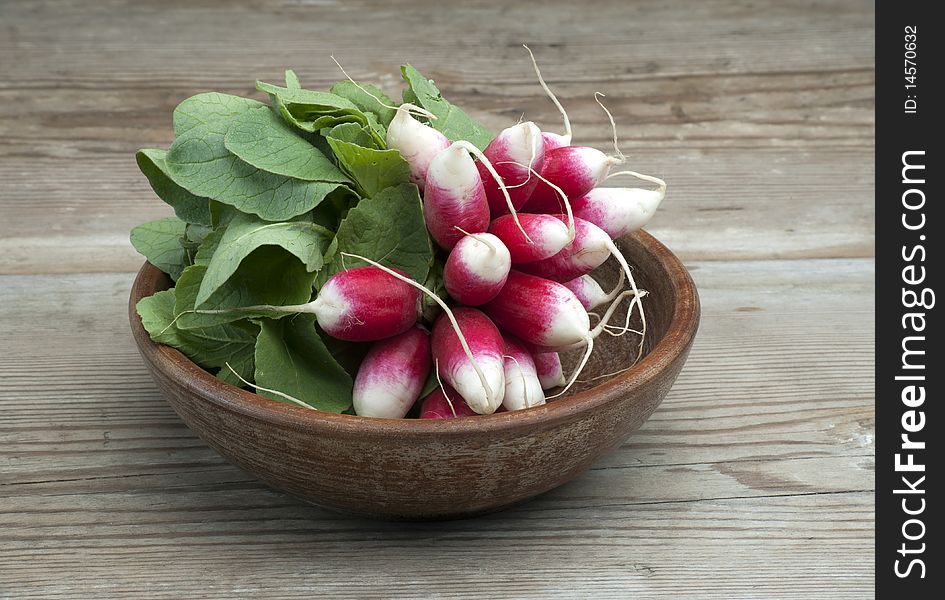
<point x="480" y="383"/>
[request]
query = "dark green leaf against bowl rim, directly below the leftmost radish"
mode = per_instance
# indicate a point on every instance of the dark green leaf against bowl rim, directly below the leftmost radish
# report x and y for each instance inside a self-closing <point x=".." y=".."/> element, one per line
<point x="291" y="358"/>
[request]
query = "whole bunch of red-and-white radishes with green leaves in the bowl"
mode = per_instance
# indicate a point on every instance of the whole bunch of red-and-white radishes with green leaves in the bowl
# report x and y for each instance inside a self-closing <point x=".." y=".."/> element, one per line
<point x="271" y="201"/>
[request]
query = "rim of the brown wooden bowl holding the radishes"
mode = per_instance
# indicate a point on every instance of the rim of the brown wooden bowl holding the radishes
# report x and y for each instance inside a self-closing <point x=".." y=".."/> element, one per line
<point x="676" y="341"/>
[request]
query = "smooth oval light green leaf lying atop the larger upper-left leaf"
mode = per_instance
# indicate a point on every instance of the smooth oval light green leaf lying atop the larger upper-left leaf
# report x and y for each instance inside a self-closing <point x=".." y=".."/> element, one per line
<point x="260" y="138"/>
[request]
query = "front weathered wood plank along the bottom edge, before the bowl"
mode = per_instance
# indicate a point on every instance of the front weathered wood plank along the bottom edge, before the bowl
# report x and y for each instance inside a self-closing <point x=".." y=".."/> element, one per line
<point x="258" y="545"/>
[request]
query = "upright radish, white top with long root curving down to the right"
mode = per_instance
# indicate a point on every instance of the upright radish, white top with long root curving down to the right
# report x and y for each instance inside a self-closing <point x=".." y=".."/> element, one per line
<point x="454" y="198"/>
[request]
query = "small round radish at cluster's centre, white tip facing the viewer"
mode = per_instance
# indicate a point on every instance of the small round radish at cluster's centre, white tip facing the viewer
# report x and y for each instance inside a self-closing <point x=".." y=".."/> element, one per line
<point x="476" y="269"/>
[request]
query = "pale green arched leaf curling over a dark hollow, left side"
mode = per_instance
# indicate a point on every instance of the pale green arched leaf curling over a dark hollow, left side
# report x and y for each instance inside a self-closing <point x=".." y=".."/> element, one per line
<point x="306" y="241"/>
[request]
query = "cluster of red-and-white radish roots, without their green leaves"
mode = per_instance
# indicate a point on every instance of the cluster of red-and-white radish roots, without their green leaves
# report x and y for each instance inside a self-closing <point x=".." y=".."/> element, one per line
<point x="523" y="223"/>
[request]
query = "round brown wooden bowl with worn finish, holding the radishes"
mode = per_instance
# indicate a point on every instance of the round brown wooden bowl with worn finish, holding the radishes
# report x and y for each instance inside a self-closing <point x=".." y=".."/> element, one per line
<point x="439" y="469"/>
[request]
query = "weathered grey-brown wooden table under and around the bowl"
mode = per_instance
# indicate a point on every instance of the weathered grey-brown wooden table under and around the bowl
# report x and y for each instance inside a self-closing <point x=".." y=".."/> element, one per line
<point x="754" y="479"/>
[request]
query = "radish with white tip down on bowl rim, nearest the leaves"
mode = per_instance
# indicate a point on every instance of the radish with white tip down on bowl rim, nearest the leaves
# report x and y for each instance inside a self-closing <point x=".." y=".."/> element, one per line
<point x="392" y="374"/>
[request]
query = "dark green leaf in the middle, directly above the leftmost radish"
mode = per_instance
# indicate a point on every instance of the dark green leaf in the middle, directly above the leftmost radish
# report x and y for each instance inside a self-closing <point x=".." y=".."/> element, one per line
<point x="389" y="229"/>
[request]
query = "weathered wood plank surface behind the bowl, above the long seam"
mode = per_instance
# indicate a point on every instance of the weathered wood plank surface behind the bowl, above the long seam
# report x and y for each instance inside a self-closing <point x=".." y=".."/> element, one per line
<point x="750" y="129"/>
